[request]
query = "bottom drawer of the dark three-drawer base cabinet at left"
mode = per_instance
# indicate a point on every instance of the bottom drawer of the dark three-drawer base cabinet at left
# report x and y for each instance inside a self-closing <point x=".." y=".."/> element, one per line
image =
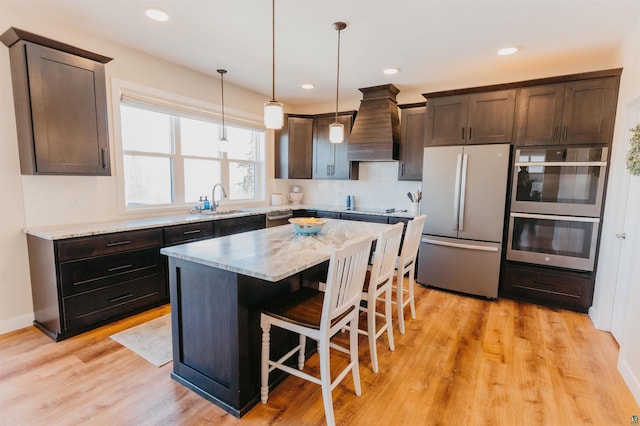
<point x="90" y="307"/>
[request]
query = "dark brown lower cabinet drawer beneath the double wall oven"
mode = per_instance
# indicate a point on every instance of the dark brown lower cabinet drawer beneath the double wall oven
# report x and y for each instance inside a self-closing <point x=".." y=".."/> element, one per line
<point x="572" y="290"/>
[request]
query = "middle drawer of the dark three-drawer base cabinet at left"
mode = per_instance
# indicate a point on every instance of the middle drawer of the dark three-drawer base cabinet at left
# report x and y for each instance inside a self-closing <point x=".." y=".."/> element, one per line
<point x="88" y="274"/>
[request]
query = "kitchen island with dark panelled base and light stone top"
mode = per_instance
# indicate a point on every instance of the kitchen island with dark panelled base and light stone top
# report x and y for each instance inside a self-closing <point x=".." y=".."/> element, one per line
<point x="217" y="287"/>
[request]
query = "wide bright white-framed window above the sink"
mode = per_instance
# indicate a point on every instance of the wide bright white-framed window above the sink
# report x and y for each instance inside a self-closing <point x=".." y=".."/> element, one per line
<point x="171" y="157"/>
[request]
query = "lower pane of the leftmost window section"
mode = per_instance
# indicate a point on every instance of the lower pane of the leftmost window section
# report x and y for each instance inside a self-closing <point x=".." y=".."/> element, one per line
<point x="147" y="180"/>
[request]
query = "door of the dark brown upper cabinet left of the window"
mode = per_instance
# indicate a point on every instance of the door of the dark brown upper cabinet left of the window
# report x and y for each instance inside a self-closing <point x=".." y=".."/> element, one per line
<point x="68" y="113"/>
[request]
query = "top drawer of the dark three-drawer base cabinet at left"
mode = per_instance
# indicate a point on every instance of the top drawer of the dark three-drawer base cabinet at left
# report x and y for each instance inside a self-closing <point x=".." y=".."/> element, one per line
<point x="109" y="243"/>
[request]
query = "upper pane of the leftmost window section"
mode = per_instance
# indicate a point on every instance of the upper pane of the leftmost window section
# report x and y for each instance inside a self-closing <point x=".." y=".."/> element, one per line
<point x="146" y="131"/>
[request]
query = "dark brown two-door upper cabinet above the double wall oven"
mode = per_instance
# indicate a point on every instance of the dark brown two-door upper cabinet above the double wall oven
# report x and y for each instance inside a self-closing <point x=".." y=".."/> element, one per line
<point x="577" y="112"/>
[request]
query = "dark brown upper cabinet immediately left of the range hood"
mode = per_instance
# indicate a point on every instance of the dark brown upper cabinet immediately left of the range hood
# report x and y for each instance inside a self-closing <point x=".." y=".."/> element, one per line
<point x="330" y="160"/>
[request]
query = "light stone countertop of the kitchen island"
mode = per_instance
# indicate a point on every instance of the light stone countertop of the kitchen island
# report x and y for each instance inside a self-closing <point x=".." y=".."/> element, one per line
<point x="273" y="253"/>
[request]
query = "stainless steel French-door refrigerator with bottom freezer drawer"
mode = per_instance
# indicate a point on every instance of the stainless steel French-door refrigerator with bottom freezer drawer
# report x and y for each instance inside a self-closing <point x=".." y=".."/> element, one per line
<point x="463" y="195"/>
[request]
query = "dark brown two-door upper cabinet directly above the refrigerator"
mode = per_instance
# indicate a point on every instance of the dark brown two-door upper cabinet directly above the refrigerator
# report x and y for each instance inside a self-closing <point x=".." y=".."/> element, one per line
<point x="476" y="118"/>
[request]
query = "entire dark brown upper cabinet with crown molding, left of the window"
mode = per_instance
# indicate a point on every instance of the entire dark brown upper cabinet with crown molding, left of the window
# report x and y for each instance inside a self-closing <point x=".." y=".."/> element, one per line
<point x="61" y="106"/>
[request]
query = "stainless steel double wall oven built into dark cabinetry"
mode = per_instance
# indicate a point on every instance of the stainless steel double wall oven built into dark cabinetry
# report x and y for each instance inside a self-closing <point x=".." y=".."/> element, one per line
<point x="556" y="203"/>
